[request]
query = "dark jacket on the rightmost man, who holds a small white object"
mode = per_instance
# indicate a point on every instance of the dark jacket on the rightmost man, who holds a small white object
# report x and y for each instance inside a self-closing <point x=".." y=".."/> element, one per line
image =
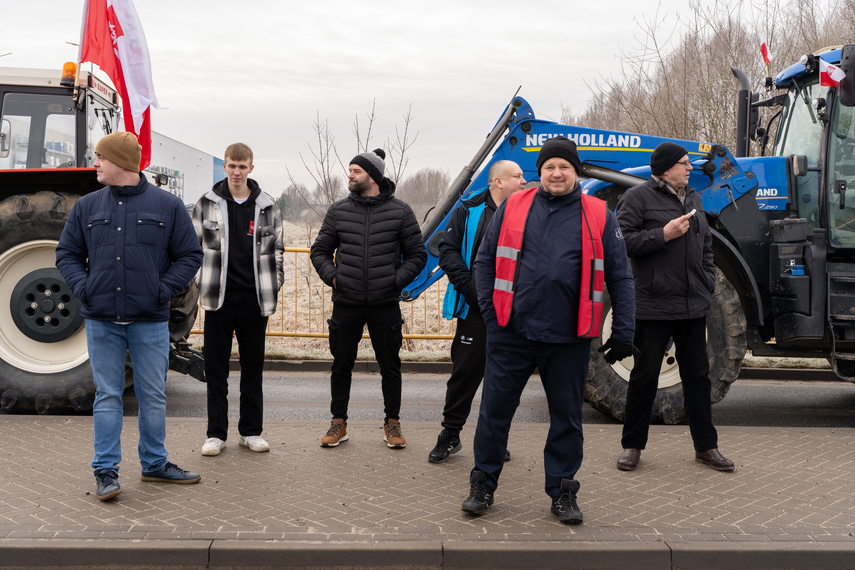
<point x="673" y="280"/>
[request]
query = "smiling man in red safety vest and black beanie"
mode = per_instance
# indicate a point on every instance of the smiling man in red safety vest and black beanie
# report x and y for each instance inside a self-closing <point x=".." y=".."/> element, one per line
<point x="540" y="274"/>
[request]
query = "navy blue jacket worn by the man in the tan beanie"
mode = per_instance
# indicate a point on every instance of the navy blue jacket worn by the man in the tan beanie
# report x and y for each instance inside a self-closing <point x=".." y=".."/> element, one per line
<point x="126" y="251"/>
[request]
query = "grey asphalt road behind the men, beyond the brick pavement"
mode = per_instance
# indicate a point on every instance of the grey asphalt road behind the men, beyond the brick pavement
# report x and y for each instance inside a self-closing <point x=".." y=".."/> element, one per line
<point x="305" y="395"/>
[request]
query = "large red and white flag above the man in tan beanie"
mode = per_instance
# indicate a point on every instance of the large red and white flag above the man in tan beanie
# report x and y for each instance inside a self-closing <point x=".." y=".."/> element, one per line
<point x="112" y="38"/>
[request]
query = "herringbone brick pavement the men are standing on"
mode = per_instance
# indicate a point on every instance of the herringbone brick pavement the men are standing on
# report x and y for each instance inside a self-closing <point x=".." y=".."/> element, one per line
<point x="793" y="494"/>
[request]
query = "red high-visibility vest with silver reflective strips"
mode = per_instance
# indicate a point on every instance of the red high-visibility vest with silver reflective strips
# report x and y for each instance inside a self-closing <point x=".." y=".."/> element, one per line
<point x="593" y="265"/>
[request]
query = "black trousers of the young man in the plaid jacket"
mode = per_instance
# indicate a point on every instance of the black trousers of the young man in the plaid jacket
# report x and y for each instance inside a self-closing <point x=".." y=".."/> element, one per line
<point x="240" y="316"/>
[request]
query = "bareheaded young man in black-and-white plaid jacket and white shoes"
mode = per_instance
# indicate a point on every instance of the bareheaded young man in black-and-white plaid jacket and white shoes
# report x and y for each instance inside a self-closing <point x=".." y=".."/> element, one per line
<point x="240" y="228"/>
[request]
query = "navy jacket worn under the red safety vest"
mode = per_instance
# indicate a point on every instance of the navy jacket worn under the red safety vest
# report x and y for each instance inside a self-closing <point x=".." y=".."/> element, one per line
<point x="546" y="299"/>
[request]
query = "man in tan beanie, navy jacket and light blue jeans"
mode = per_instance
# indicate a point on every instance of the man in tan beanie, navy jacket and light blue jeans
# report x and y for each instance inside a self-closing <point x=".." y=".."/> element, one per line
<point x="126" y="251"/>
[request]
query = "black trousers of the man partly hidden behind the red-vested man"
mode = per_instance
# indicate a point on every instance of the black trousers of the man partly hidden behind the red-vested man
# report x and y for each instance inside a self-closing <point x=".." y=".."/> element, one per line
<point x="468" y="356"/>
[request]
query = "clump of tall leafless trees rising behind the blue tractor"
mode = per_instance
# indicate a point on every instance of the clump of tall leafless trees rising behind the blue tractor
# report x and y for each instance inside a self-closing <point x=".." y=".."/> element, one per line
<point x="676" y="82"/>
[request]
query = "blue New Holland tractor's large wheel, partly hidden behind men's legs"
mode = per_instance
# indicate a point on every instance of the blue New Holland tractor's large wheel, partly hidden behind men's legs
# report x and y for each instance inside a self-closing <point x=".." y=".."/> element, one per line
<point x="726" y="343"/>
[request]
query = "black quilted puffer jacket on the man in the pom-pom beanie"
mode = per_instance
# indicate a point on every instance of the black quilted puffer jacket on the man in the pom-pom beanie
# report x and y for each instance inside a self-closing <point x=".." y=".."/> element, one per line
<point x="372" y="246"/>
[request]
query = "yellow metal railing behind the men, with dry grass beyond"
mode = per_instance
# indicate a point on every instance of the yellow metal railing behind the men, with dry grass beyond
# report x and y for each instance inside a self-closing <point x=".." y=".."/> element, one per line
<point x="305" y="305"/>
